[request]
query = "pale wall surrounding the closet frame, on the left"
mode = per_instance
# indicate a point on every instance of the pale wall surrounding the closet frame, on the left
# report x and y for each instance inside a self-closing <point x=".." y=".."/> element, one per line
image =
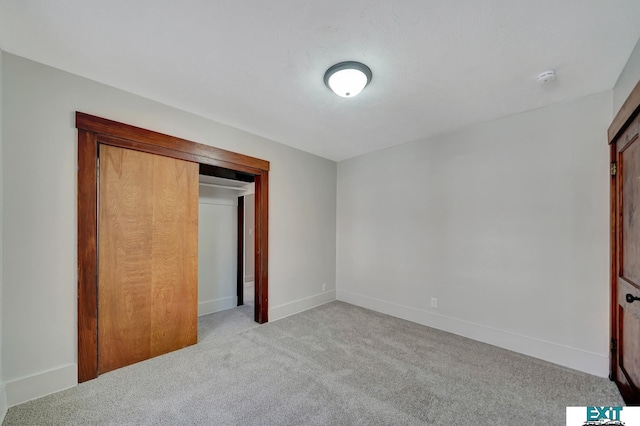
<point x="39" y="218"/>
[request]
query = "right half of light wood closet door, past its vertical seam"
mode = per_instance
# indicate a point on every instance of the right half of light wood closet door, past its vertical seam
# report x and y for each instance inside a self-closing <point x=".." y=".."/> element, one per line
<point x="174" y="317"/>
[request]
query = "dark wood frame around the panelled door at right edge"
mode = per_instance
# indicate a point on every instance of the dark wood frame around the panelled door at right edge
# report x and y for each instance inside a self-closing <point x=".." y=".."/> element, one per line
<point x="628" y="112"/>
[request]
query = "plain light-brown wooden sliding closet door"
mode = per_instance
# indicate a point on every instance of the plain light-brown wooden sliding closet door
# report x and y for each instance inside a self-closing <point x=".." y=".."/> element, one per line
<point x="147" y="256"/>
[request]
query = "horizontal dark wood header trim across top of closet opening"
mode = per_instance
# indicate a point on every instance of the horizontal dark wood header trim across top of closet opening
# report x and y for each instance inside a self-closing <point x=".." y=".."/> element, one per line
<point x="125" y="131"/>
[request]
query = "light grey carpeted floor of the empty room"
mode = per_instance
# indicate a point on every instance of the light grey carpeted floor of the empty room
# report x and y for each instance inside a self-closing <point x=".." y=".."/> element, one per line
<point x="333" y="365"/>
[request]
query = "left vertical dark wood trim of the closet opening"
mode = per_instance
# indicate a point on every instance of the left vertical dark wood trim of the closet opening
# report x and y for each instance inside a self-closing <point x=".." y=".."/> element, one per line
<point x="87" y="256"/>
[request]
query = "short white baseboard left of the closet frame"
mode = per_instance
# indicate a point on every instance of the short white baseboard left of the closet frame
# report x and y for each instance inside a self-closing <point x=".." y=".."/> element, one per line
<point x="42" y="384"/>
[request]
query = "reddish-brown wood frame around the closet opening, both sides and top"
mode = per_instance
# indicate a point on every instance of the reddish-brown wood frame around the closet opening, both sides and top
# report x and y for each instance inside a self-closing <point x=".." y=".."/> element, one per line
<point x="93" y="131"/>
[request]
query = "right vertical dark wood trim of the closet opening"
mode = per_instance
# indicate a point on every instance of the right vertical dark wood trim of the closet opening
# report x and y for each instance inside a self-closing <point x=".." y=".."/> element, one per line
<point x="261" y="247"/>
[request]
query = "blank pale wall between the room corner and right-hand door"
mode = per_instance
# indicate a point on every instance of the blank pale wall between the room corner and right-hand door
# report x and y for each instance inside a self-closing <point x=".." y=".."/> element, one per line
<point x="505" y="223"/>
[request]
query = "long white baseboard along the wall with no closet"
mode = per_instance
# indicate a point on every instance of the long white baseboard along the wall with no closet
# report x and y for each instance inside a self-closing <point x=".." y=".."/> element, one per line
<point x="578" y="359"/>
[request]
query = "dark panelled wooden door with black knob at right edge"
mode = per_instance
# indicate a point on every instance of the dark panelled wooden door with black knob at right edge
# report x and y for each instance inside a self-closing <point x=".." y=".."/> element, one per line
<point x="626" y="343"/>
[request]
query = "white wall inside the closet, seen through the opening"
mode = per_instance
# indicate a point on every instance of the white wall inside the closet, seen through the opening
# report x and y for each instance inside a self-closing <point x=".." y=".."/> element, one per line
<point x="217" y="250"/>
